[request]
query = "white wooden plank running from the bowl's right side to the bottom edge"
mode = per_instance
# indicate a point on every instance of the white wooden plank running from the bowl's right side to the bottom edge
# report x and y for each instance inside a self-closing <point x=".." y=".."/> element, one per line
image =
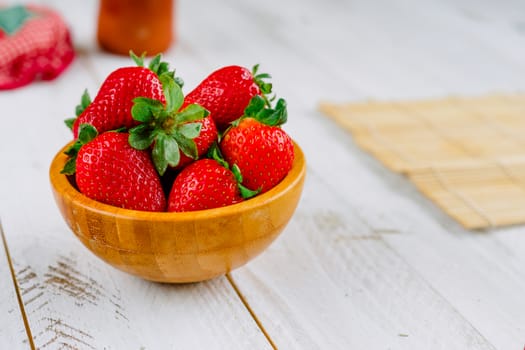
<point x="343" y="287"/>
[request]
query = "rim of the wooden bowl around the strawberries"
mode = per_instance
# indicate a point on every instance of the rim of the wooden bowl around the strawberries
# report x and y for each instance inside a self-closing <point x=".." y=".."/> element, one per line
<point x="62" y="185"/>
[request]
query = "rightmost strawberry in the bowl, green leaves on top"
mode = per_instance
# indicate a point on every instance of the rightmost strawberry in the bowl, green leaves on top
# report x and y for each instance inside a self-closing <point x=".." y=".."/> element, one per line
<point x="256" y="143"/>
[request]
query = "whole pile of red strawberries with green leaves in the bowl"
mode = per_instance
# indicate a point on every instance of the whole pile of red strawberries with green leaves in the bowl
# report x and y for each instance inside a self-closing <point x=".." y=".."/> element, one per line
<point x="141" y="144"/>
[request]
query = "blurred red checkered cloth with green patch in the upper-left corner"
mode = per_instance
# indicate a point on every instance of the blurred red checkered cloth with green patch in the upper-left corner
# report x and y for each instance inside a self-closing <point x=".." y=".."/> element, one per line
<point x="35" y="43"/>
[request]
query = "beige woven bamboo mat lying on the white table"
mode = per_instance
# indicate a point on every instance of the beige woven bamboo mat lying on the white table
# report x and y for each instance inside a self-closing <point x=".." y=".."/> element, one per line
<point x="465" y="154"/>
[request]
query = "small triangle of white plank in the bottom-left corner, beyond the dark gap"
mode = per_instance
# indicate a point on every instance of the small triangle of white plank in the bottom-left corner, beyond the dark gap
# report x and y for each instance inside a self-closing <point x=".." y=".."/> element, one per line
<point x="13" y="332"/>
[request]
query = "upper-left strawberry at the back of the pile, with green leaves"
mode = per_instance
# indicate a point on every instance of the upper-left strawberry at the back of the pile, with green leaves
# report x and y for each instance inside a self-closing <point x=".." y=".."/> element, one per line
<point x="111" y="108"/>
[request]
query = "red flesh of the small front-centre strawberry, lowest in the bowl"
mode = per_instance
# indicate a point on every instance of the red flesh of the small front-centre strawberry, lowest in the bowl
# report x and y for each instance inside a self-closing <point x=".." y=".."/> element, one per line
<point x="204" y="184"/>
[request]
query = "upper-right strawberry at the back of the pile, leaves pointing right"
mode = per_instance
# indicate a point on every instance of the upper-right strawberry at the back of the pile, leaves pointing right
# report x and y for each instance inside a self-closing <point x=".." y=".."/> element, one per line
<point x="226" y="92"/>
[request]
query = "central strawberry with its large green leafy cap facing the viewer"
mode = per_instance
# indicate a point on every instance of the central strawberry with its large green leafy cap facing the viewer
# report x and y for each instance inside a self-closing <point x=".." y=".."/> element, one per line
<point x="177" y="134"/>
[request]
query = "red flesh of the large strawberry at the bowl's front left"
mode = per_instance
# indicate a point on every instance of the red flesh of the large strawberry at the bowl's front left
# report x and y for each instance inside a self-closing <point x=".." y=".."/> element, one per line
<point x="109" y="170"/>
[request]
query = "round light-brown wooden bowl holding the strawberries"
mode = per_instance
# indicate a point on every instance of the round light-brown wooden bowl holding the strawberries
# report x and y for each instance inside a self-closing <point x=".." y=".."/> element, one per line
<point x="179" y="247"/>
